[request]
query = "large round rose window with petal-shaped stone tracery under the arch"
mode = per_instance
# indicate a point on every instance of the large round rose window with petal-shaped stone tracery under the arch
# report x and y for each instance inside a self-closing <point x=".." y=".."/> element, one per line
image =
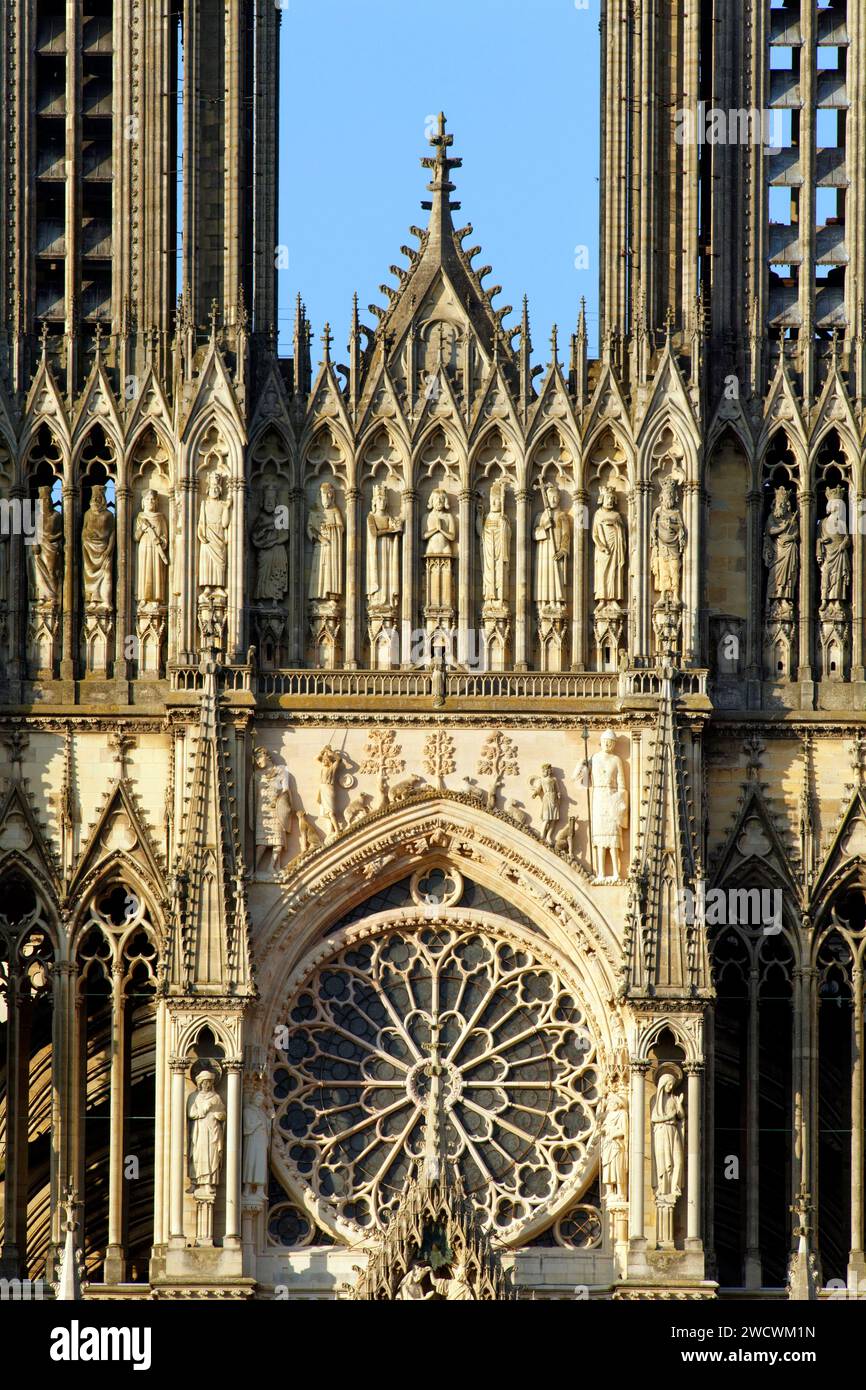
<point x="446" y="1050"/>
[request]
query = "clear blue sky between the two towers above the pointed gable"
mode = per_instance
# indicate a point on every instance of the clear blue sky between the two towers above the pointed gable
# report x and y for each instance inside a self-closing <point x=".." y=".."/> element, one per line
<point x="519" y="83"/>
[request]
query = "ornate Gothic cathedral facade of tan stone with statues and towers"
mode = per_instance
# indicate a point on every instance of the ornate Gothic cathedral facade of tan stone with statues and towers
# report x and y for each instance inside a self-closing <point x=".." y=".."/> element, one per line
<point x="433" y="806"/>
